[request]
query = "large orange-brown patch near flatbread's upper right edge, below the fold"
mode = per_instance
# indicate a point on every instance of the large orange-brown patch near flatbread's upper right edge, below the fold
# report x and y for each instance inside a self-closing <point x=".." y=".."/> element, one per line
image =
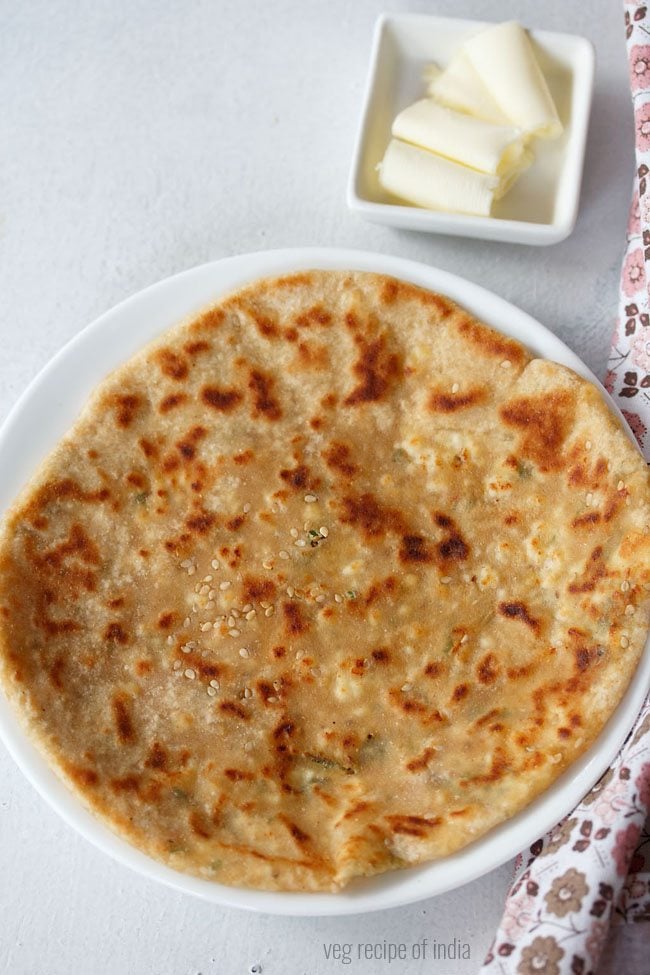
<point x="544" y="423"/>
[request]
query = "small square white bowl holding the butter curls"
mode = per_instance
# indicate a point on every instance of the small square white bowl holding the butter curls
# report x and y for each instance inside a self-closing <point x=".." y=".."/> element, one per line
<point x="542" y="206"/>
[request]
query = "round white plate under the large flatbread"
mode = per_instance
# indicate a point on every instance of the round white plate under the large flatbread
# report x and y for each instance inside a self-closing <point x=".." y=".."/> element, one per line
<point x="50" y="405"/>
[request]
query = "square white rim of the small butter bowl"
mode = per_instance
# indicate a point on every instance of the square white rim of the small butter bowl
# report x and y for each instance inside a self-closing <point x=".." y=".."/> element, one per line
<point x="492" y="228"/>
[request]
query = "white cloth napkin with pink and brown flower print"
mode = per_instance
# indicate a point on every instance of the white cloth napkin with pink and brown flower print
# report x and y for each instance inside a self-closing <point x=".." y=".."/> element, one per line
<point x="582" y="893"/>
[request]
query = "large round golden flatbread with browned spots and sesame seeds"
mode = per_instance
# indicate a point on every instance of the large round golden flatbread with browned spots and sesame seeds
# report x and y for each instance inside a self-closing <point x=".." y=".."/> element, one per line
<point x="328" y="581"/>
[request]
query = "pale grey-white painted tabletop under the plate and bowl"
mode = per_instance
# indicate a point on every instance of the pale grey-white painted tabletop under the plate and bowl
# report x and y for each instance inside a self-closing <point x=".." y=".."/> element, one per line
<point x="139" y="139"/>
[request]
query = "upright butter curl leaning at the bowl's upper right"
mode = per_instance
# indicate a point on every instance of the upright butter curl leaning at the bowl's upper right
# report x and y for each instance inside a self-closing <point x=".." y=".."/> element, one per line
<point x="503" y="58"/>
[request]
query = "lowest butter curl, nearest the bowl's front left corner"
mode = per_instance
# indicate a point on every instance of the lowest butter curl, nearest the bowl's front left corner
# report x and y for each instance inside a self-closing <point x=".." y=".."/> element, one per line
<point x="434" y="182"/>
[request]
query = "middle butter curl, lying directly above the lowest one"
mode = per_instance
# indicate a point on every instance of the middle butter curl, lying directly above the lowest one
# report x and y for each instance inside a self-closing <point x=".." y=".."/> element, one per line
<point x="494" y="149"/>
